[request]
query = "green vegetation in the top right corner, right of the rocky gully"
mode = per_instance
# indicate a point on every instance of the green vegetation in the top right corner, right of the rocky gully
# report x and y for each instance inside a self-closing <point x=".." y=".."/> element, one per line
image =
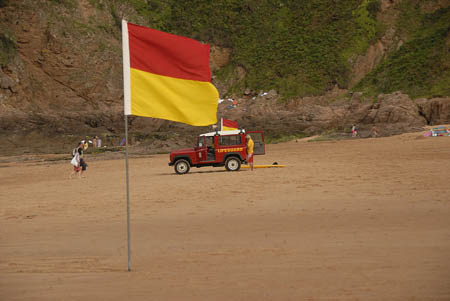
<point x="421" y="67"/>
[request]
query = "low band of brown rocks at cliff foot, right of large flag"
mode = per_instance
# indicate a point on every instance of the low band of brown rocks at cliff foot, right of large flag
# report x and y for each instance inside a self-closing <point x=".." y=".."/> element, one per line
<point x="391" y="113"/>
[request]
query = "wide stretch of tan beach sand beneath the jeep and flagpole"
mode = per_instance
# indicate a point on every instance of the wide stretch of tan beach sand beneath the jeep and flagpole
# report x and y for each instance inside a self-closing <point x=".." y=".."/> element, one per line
<point x="346" y="220"/>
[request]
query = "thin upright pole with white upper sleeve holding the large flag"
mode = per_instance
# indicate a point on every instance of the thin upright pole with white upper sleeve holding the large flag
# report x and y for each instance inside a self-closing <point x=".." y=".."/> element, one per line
<point x="127" y="111"/>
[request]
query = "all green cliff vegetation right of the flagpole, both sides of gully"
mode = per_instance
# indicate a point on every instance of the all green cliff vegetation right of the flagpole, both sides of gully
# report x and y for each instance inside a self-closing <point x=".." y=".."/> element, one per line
<point x="304" y="47"/>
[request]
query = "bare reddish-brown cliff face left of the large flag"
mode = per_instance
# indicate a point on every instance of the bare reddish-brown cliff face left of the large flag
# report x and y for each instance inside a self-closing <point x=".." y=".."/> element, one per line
<point x="65" y="76"/>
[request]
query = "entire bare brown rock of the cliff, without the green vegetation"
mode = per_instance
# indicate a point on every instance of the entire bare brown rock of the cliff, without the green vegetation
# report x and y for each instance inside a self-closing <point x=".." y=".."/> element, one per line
<point x="61" y="79"/>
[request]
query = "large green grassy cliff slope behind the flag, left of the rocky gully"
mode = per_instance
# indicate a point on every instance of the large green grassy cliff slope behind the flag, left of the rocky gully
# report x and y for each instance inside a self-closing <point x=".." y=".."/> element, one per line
<point x="295" y="47"/>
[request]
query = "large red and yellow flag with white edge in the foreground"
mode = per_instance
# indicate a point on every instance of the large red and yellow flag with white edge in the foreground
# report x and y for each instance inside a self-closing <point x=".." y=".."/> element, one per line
<point x="167" y="76"/>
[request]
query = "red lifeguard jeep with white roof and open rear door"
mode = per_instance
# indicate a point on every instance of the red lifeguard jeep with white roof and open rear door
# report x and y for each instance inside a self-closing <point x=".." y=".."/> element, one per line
<point x="224" y="148"/>
